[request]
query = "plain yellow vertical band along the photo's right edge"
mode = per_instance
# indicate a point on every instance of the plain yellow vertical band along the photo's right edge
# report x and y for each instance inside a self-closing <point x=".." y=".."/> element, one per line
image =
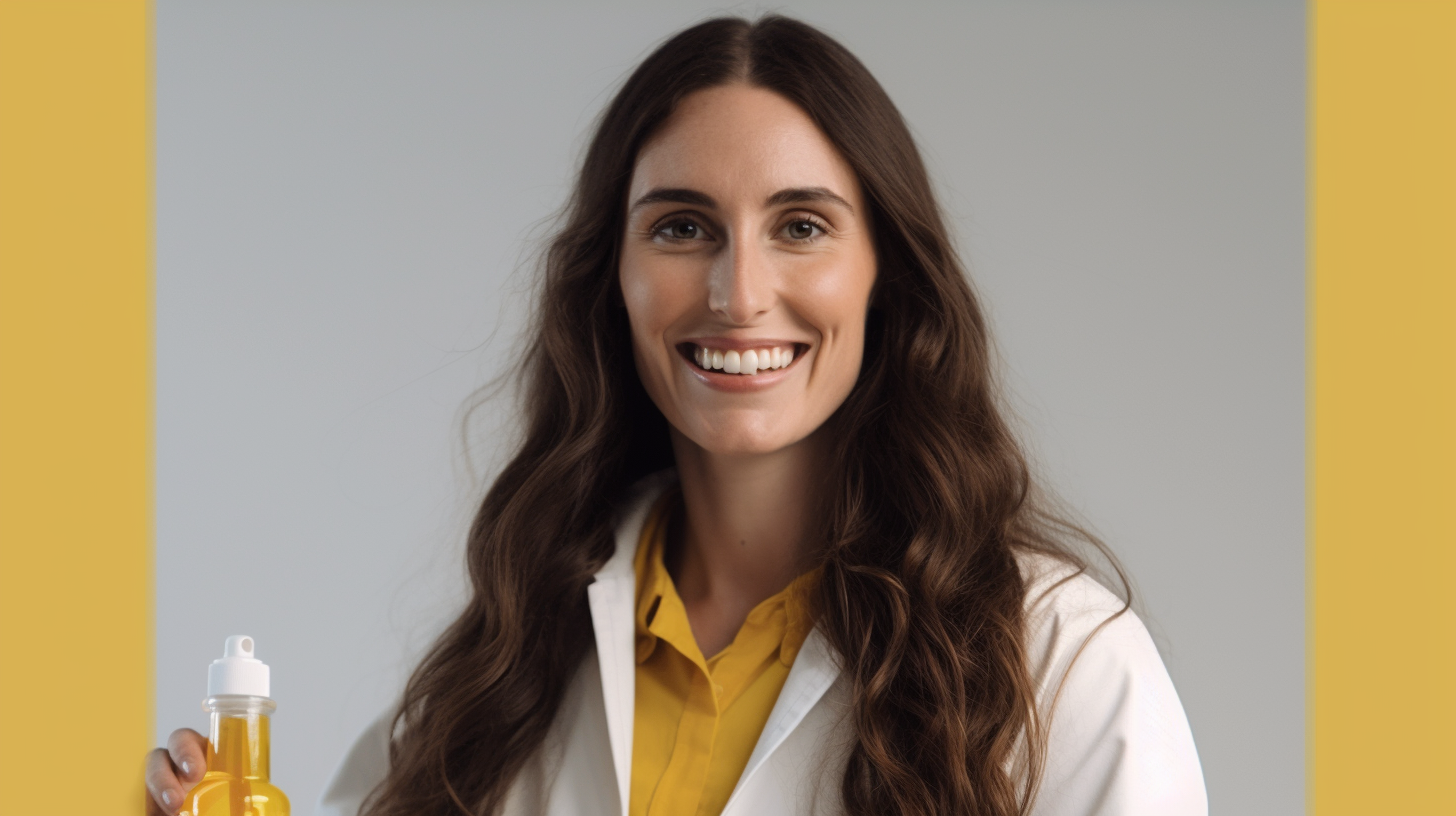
<point x="1382" y="696"/>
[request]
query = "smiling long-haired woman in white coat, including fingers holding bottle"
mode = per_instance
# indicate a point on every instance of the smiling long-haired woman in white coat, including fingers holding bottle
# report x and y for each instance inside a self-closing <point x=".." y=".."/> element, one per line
<point x="768" y="546"/>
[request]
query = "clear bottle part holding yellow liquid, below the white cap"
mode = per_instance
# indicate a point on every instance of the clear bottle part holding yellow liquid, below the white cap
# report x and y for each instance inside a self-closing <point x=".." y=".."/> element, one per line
<point x="237" y="782"/>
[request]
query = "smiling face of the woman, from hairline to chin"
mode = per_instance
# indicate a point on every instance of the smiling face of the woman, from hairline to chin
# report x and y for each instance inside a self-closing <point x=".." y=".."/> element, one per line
<point x="746" y="267"/>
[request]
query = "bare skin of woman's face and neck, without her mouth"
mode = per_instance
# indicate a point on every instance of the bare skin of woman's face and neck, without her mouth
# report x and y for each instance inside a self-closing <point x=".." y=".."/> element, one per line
<point x="742" y="263"/>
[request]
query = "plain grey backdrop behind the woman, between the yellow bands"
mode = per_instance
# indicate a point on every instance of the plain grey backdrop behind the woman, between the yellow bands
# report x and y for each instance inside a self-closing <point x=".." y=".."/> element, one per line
<point x="347" y="203"/>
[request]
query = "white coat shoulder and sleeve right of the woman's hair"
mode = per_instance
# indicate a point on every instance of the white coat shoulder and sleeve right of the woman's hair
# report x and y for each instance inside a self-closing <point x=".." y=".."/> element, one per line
<point x="1117" y="737"/>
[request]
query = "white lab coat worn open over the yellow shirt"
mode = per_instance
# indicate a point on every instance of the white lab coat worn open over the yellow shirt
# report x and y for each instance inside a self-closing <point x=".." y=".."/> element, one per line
<point x="1119" y="744"/>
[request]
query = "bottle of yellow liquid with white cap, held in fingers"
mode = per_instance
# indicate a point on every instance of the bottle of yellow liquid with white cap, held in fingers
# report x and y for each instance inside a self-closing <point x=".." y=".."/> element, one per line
<point x="237" y="782"/>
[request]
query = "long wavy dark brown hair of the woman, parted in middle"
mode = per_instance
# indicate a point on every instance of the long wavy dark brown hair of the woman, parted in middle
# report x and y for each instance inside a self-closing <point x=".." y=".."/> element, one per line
<point x="930" y="505"/>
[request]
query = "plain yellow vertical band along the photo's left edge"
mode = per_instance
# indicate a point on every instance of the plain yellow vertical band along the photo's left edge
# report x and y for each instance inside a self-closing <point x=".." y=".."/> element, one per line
<point x="75" y="406"/>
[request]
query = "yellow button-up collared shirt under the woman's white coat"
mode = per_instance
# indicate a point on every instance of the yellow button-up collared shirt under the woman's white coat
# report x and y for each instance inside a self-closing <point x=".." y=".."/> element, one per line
<point x="698" y="719"/>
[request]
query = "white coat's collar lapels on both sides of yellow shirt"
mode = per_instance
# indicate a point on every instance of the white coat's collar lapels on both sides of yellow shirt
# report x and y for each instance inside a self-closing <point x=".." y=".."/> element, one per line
<point x="612" y="600"/>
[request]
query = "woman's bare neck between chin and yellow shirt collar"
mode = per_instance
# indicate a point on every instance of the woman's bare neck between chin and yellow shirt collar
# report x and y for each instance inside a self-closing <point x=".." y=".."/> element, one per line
<point x="746" y="531"/>
